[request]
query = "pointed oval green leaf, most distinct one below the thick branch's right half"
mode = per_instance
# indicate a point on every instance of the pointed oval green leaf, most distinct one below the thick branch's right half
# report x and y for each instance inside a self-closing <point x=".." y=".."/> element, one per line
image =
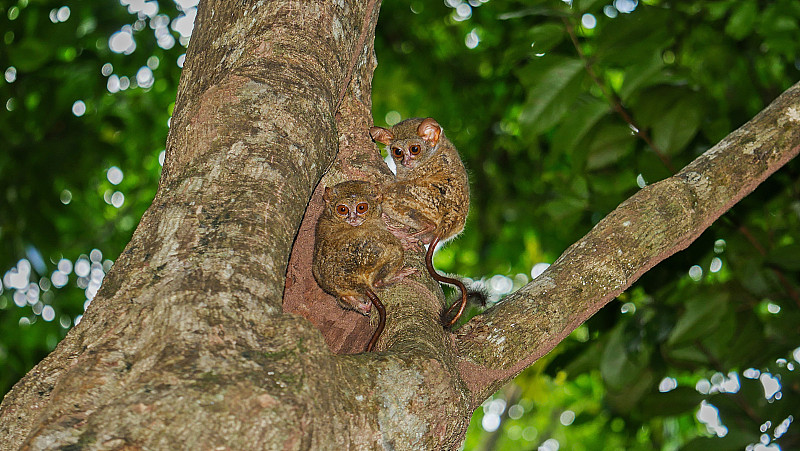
<point x="702" y="316"/>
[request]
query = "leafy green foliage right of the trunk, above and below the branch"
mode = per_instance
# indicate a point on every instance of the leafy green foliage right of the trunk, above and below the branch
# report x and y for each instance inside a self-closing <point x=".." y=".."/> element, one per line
<point x="561" y="112"/>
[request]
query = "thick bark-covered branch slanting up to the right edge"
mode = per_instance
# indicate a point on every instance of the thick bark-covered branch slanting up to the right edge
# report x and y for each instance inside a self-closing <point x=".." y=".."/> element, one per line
<point x="656" y="222"/>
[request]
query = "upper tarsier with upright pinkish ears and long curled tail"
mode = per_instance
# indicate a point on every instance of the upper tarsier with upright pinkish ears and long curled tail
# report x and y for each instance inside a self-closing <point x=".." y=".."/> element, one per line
<point x="429" y="200"/>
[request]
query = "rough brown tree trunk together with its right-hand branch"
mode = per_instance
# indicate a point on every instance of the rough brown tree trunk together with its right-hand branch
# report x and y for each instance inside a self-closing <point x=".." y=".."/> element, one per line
<point x="192" y="342"/>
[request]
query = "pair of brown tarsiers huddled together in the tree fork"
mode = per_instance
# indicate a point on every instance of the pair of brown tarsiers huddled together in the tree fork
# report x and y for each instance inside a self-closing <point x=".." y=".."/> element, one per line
<point x="365" y="229"/>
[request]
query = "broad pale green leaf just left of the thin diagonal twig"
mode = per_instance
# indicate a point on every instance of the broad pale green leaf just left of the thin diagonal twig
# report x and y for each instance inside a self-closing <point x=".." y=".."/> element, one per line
<point x="554" y="83"/>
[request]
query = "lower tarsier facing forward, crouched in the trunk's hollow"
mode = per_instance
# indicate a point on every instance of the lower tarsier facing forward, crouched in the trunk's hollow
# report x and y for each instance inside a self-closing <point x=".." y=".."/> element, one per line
<point x="354" y="253"/>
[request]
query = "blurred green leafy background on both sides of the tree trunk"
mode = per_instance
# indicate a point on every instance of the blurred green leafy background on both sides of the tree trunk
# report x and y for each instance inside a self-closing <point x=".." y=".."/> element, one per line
<point x="561" y="110"/>
